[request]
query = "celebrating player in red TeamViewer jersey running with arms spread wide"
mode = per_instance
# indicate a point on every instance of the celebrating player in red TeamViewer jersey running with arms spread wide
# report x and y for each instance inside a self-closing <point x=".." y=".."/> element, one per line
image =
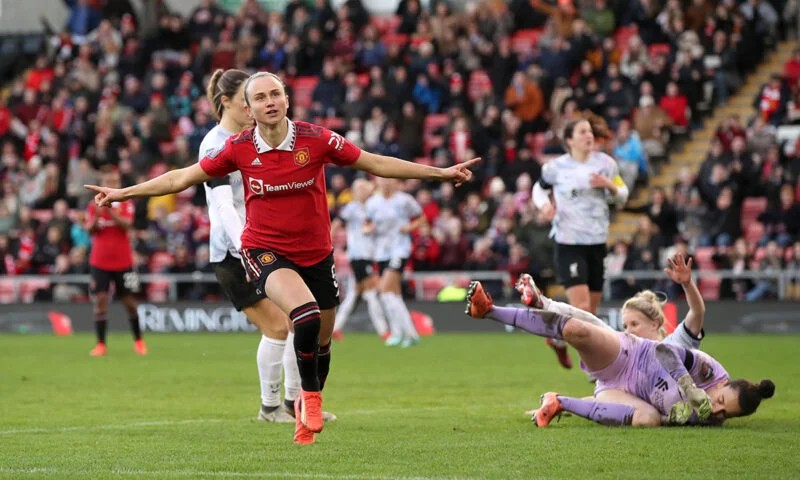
<point x="286" y="243"/>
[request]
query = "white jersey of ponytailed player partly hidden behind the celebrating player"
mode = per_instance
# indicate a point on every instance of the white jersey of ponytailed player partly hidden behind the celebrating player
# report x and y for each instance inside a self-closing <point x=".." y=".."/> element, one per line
<point x="219" y="243"/>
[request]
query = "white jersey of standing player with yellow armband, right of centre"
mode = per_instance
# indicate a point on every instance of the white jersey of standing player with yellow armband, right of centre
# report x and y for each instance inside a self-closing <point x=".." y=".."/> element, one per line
<point x="581" y="210"/>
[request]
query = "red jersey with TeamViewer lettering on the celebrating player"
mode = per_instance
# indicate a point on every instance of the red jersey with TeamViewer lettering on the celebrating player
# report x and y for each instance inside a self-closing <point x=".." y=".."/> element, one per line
<point x="285" y="197"/>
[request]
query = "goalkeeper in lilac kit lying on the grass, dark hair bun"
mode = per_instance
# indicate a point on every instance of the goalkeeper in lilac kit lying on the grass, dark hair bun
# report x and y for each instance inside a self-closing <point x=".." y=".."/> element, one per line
<point x="640" y="382"/>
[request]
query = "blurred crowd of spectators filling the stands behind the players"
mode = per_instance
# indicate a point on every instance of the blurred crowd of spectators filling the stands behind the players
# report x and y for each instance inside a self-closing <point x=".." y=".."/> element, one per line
<point x="440" y="84"/>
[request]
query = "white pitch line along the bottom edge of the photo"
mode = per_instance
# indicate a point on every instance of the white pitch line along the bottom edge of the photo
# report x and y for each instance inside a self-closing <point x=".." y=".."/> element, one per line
<point x="195" y="474"/>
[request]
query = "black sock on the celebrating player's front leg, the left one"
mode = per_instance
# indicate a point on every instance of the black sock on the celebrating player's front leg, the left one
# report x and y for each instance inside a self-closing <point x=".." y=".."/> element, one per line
<point x="306" y="321"/>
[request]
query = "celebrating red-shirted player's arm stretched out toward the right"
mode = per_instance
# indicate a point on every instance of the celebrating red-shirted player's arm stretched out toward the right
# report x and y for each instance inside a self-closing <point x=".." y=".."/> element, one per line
<point x="390" y="167"/>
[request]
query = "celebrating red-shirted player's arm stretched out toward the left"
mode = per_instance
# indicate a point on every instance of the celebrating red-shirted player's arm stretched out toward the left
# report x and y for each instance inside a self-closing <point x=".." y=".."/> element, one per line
<point x="171" y="182"/>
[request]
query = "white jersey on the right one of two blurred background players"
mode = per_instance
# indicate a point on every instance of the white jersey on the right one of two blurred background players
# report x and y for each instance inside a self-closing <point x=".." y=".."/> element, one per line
<point x="389" y="215"/>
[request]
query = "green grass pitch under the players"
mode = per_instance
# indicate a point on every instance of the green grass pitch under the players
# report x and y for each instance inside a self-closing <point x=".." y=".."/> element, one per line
<point x="450" y="408"/>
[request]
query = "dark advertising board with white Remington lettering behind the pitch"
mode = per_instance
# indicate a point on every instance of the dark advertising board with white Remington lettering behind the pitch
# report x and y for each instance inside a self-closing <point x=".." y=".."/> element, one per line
<point x="721" y="317"/>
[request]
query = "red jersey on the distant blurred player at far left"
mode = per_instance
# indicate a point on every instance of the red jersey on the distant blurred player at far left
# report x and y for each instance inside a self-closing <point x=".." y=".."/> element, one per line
<point x="111" y="247"/>
